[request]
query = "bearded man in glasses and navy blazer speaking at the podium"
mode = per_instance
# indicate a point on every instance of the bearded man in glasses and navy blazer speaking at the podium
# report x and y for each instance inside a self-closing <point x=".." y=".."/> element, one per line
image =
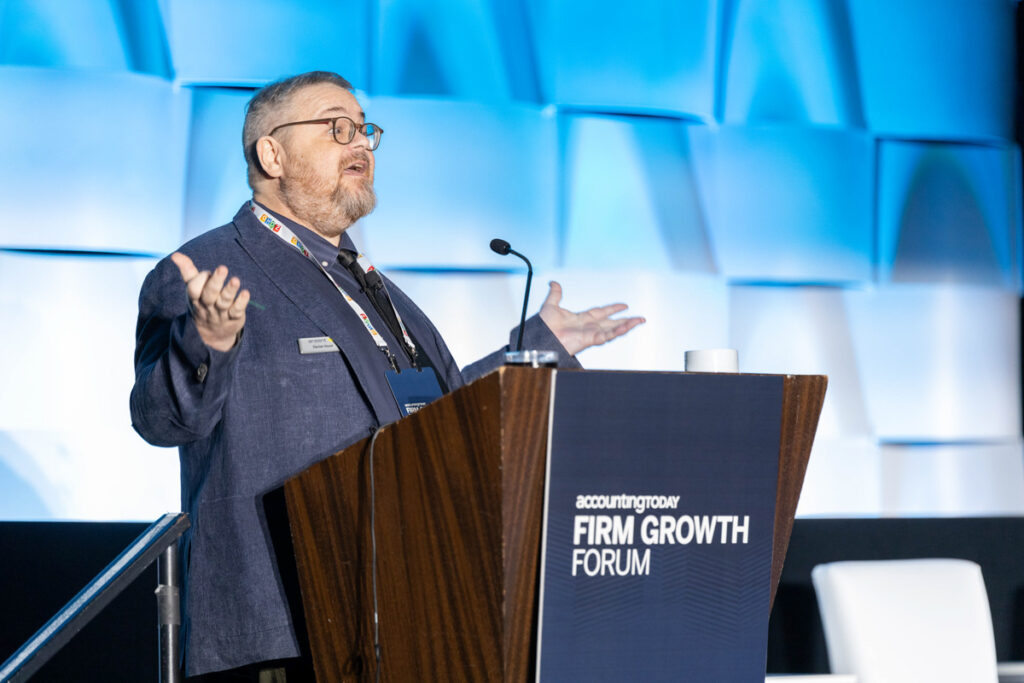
<point x="268" y="345"/>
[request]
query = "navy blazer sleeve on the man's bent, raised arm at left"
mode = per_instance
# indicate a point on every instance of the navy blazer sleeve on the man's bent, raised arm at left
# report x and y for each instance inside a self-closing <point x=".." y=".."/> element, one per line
<point x="181" y="383"/>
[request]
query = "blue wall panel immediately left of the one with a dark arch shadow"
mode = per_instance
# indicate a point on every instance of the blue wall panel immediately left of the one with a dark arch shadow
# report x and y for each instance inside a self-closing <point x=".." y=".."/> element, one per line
<point x="788" y="204"/>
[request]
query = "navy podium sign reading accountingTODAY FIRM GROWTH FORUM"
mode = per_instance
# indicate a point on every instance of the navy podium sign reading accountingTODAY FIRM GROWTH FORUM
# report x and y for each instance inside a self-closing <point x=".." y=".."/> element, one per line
<point x="659" y="526"/>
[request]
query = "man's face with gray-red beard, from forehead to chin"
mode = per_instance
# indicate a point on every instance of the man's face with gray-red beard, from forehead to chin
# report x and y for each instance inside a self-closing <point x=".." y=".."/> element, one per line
<point x="327" y="185"/>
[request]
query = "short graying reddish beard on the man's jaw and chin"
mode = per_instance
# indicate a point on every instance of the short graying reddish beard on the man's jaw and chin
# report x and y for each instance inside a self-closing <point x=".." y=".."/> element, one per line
<point x="328" y="211"/>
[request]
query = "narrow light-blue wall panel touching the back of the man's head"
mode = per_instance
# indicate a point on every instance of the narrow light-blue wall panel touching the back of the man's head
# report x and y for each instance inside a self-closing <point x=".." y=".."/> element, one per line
<point x="217" y="180"/>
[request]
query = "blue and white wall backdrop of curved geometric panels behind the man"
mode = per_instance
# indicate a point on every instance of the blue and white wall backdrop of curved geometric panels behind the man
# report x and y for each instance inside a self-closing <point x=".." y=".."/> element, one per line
<point x="831" y="187"/>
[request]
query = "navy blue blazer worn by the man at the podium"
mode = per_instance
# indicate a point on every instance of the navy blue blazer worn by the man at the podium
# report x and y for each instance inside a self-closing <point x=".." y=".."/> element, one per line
<point x="248" y="419"/>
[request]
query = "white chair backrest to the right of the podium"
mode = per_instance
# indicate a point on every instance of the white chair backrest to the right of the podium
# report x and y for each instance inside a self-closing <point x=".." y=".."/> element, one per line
<point x="900" y="621"/>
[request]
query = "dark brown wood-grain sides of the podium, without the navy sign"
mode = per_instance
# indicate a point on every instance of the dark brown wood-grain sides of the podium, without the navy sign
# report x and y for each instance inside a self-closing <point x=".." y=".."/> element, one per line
<point x="457" y="500"/>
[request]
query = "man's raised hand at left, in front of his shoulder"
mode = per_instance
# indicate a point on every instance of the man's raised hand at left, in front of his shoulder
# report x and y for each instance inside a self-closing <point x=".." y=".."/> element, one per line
<point x="219" y="309"/>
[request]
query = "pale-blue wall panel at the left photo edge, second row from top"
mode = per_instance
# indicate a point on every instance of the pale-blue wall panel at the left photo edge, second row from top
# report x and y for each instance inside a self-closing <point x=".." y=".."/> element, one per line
<point x="98" y="162"/>
